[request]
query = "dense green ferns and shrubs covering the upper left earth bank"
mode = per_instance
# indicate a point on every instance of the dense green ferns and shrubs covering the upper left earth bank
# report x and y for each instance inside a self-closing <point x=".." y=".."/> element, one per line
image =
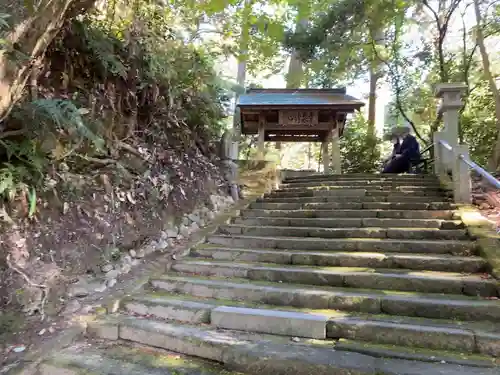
<point x="103" y="82"/>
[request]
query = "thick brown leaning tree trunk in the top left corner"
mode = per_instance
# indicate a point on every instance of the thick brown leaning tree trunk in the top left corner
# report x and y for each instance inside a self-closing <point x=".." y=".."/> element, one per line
<point x="31" y="34"/>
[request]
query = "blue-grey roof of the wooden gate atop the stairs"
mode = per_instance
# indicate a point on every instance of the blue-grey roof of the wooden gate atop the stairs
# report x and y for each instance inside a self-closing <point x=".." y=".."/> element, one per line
<point x="287" y="97"/>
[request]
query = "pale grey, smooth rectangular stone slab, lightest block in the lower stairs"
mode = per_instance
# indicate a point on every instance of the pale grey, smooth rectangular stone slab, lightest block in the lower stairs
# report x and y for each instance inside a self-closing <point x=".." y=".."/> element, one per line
<point x="286" y="323"/>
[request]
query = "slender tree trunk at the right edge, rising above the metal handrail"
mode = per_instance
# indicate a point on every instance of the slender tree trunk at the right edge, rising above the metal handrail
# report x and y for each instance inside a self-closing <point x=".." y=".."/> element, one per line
<point x="494" y="162"/>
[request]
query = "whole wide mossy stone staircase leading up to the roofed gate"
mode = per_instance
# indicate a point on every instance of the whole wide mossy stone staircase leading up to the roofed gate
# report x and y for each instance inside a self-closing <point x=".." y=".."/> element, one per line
<point x="338" y="274"/>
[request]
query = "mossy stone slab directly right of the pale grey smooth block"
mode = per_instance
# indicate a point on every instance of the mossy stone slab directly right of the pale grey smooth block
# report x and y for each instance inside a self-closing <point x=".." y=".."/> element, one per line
<point x="401" y="334"/>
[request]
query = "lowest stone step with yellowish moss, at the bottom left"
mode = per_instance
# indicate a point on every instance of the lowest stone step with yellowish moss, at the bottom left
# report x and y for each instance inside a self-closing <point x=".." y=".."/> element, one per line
<point x="124" y="360"/>
